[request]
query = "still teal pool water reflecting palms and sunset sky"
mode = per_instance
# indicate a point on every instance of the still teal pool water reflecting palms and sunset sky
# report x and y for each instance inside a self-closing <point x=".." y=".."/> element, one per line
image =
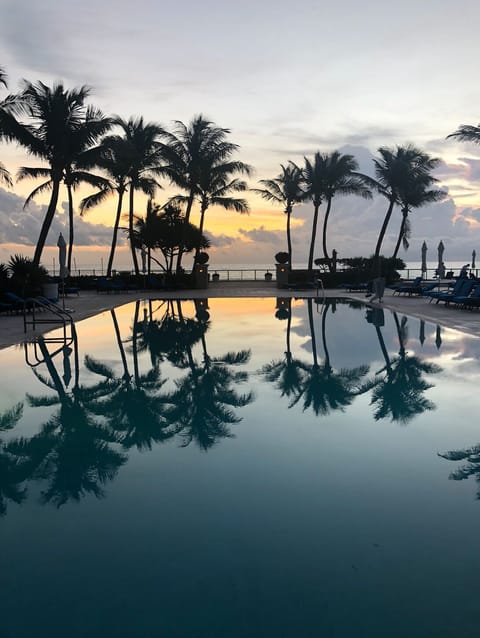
<point x="241" y="468"/>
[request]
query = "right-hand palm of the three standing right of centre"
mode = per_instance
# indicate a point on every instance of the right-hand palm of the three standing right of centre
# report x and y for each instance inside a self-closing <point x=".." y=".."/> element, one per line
<point x="341" y="178"/>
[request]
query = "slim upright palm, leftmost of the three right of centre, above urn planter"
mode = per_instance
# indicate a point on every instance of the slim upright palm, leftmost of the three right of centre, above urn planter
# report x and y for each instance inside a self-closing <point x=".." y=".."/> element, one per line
<point x="285" y="189"/>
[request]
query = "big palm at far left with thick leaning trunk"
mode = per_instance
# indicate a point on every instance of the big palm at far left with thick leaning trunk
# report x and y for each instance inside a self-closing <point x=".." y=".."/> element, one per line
<point x="58" y="116"/>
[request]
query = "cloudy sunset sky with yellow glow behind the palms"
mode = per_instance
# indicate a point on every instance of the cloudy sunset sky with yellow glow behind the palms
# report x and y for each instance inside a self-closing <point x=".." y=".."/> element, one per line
<point x="288" y="80"/>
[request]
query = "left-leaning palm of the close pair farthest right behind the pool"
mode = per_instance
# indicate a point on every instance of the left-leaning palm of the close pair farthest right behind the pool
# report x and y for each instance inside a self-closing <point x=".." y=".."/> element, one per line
<point x="395" y="169"/>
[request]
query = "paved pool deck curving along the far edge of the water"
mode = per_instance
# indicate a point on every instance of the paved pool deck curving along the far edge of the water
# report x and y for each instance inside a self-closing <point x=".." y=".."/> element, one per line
<point x="92" y="303"/>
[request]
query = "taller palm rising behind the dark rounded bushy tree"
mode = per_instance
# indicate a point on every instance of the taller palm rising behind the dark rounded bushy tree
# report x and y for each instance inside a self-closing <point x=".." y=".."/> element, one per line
<point x="186" y="150"/>
